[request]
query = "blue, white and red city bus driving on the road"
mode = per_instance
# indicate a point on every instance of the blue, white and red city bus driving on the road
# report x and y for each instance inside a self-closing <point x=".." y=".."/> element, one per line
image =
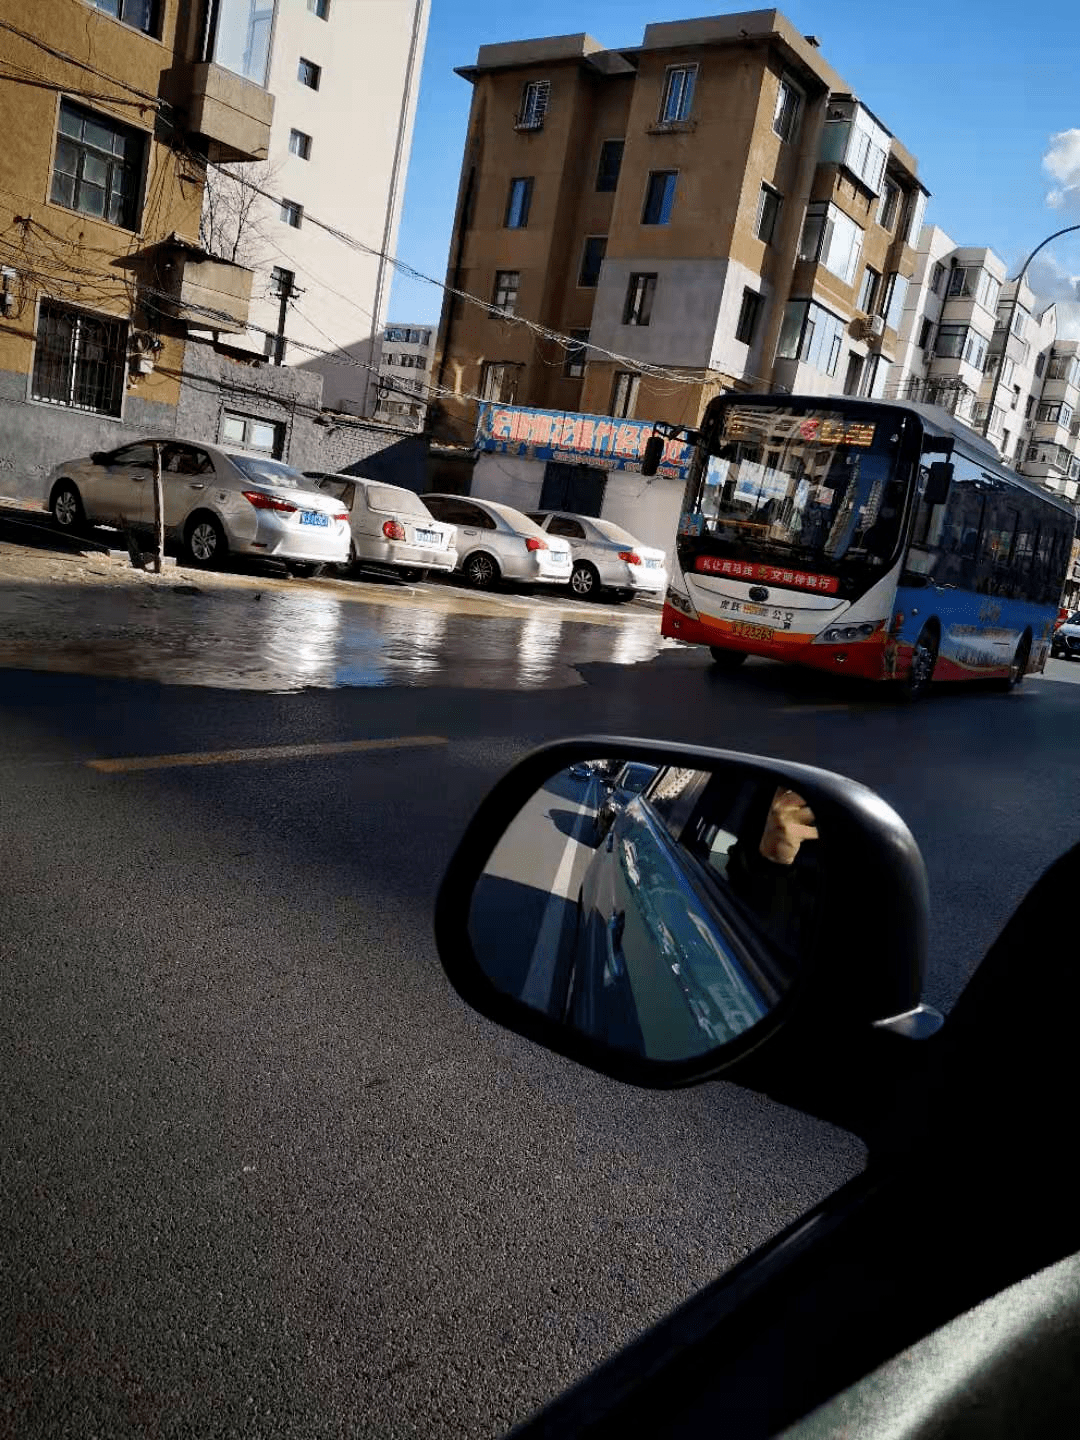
<point x="868" y="538"/>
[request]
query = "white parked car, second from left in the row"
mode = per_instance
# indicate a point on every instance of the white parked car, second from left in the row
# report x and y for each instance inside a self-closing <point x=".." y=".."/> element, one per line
<point x="391" y="526"/>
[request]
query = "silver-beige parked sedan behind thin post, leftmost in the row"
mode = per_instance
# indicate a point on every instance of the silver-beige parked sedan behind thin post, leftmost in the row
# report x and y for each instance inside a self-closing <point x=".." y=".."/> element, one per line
<point x="217" y="503"/>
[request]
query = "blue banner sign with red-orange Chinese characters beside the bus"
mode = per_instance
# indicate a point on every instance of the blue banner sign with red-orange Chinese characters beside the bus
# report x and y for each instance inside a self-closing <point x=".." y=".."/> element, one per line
<point x="577" y="440"/>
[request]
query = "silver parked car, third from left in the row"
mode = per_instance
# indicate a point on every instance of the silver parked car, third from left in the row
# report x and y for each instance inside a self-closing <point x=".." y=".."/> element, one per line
<point x="500" y="544"/>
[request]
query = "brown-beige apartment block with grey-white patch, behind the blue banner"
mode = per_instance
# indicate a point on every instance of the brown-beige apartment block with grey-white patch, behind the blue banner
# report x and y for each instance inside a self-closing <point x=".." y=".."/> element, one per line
<point x="711" y="210"/>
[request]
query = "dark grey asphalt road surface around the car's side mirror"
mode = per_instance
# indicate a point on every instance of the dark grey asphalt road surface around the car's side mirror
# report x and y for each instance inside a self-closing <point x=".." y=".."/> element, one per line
<point x="261" y="1173"/>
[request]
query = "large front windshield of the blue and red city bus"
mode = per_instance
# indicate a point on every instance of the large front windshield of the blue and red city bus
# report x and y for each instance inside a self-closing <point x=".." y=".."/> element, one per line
<point x="817" y="487"/>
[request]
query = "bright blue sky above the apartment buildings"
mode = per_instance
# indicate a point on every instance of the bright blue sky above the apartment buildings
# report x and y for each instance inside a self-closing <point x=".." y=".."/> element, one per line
<point x="976" y="91"/>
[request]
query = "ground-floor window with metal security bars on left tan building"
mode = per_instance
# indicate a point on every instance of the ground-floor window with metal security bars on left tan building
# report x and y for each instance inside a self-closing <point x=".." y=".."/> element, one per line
<point x="80" y="359"/>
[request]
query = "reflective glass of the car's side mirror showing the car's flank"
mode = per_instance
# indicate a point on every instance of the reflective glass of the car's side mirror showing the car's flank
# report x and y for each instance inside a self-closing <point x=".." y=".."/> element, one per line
<point x="662" y="911"/>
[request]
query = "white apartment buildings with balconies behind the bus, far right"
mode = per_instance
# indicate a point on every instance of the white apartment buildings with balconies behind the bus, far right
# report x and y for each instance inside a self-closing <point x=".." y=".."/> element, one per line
<point x="954" y="348"/>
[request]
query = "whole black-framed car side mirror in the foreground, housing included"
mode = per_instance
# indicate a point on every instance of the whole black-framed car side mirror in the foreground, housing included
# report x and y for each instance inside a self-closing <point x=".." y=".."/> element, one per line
<point x="662" y="924"/>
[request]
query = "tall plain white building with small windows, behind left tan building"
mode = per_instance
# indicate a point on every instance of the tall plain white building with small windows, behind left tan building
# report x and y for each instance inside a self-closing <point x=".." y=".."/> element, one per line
<point x="345" y="77"/>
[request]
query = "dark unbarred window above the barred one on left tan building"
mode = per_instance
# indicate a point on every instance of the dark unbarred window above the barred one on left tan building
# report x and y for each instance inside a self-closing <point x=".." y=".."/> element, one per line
<point x="99" y="166"/>
